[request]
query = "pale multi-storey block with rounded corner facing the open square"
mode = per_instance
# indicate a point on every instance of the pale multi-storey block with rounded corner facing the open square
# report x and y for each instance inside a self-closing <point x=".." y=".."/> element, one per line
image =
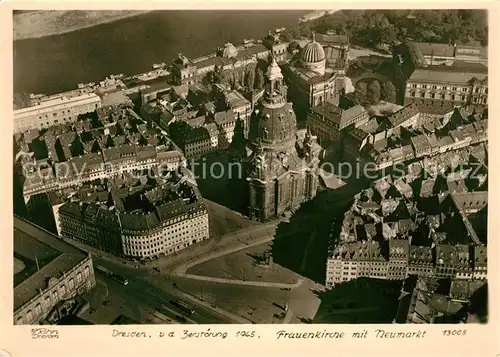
<point x="165" y="219"/>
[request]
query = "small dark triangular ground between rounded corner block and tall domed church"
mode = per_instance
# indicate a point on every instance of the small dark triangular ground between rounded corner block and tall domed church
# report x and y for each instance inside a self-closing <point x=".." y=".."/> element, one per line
<point x="222" y="220"/>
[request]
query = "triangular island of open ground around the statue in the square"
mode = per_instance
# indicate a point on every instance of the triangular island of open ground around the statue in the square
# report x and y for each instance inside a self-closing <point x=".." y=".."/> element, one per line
<point x="243" y="266"/>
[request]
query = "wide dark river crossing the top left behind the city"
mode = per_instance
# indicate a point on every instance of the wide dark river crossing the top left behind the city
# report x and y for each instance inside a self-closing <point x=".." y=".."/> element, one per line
<point x="56" y="63"/>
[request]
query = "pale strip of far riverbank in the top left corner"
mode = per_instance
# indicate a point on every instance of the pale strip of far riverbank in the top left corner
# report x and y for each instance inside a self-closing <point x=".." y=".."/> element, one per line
<point x="39" y="24"/>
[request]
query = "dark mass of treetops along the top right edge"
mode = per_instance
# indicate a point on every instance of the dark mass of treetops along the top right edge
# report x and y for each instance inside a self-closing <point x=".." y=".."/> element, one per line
<point x="375" y="27"/>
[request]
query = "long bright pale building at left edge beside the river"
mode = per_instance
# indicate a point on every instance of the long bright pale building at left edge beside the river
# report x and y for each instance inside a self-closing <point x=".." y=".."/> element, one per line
<point x="55" y="111"/>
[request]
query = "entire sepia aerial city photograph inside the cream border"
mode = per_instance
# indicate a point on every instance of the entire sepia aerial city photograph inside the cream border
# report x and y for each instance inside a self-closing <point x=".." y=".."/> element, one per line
<point x="250" y="167"/>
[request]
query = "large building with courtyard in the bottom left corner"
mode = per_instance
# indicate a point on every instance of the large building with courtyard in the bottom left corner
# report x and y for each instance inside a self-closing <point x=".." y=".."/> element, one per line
<point x="60" y="274"/>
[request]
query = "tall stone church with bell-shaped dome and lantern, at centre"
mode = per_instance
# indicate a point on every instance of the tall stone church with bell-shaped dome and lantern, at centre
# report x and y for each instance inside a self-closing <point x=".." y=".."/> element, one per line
<point x="281" y="169"/>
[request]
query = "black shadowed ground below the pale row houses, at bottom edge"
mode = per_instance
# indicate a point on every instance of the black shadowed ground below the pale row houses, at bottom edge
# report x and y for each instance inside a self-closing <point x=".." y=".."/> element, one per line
<point x="364" y="300"/>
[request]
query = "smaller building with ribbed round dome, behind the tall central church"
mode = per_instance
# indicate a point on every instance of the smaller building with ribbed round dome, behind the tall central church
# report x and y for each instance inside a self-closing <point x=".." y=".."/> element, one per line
<point x="315" y="76"/>
